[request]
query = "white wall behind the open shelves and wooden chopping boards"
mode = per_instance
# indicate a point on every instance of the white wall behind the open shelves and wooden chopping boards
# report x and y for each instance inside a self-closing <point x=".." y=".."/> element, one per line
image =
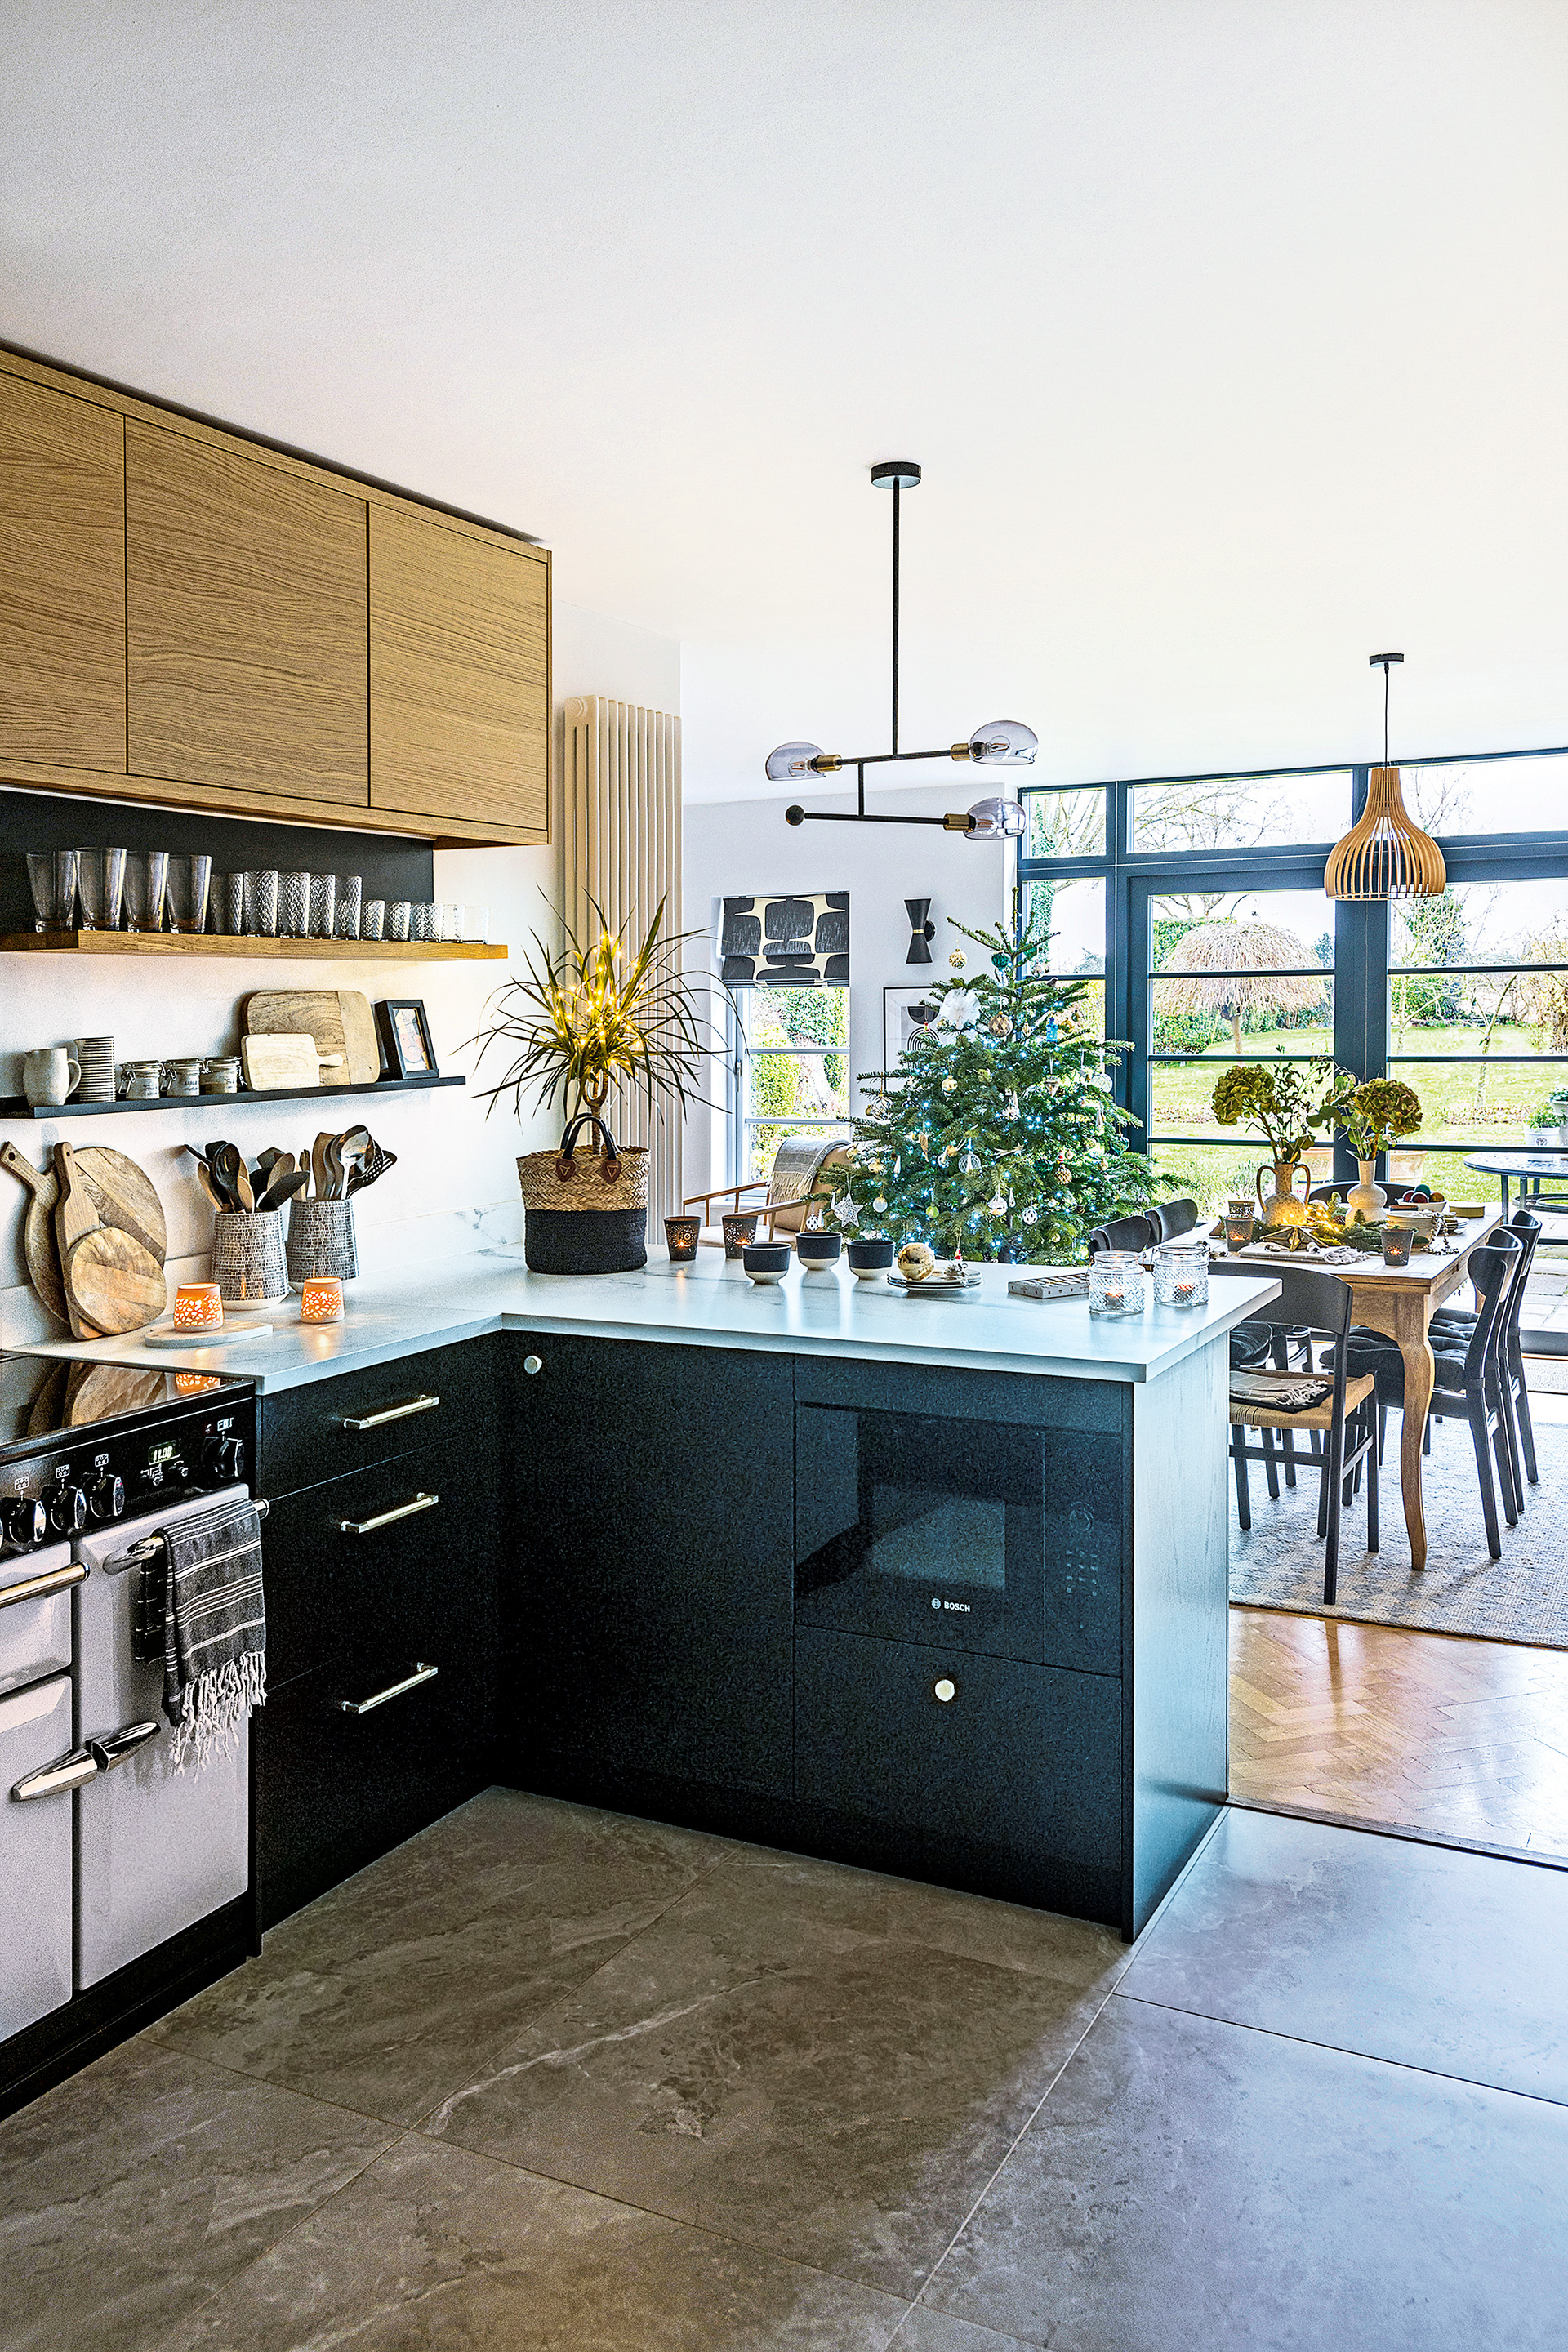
<point x="455" y="1184"/>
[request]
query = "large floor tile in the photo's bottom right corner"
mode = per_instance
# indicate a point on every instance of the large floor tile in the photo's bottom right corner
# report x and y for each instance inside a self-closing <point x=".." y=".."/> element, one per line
<point x="1198" y="2184"/>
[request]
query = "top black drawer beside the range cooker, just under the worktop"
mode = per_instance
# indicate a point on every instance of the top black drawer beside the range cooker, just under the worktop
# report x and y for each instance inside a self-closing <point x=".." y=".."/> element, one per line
<point x="445" y="1398"/>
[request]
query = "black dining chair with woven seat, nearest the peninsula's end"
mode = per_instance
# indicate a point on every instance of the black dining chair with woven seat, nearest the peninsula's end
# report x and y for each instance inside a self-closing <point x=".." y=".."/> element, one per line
<point x="1346" y="1424"/>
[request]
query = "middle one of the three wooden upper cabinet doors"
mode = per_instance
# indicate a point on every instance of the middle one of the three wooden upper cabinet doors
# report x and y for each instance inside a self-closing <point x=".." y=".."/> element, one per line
<point x="246" y="624"/>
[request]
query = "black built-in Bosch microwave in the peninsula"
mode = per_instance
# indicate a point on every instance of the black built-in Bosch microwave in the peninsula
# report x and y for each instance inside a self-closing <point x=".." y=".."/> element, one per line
<point x="960" y="1535"/>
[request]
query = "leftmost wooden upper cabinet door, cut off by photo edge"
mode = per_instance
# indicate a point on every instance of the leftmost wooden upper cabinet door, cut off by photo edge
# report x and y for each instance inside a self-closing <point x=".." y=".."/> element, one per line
<point x="62" y="580"/>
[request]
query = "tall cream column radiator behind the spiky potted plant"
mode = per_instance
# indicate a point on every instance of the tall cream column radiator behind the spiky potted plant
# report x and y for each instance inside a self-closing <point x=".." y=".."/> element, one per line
<point x="622" y="853"/>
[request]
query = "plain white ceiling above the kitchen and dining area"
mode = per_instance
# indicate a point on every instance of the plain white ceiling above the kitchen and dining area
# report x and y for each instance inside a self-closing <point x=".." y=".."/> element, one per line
<point x="1231" y="333"/>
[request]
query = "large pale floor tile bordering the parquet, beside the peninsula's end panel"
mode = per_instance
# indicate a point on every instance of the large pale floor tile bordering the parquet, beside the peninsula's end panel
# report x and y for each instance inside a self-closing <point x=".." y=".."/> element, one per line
<point x="1428" y="1956"/>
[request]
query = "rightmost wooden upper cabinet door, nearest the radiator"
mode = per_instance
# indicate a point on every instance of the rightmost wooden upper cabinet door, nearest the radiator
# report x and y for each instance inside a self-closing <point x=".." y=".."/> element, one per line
<point x="460" y="676"/>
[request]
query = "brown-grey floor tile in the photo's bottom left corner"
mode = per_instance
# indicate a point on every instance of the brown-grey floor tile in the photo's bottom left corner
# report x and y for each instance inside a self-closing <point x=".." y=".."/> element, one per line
<point x="142" y="2186"/>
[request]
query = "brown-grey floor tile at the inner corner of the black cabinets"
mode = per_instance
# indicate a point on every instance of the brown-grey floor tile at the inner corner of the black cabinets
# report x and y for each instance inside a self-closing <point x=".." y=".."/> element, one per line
<point x="401" y="1984"/>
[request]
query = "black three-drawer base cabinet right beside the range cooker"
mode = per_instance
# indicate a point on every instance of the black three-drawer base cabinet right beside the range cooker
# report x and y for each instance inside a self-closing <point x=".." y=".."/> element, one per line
<point x="380" y="1570"/>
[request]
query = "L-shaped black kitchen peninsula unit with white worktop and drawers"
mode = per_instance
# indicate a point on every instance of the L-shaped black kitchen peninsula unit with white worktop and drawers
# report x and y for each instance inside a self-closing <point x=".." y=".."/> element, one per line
<point x="932" y="1589"/>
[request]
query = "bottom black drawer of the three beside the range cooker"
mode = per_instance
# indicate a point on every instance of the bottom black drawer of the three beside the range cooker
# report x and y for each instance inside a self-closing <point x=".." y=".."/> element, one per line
<point x="335" y="1789"/>
